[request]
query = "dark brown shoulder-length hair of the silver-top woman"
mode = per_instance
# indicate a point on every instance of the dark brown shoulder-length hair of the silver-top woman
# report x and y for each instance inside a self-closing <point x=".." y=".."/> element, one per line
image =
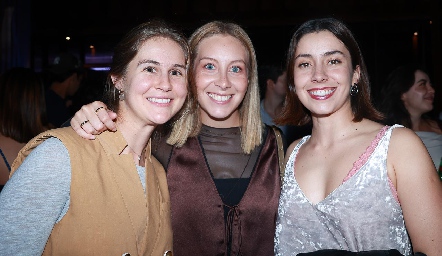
<point x="294" y="112"/>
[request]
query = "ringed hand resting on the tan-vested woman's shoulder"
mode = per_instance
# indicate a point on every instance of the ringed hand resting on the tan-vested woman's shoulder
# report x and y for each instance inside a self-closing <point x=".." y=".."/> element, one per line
<point x="93" y="119"/>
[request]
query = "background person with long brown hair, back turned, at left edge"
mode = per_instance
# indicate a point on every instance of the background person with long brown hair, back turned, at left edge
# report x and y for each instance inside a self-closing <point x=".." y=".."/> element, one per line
<point x="22" y="114"/>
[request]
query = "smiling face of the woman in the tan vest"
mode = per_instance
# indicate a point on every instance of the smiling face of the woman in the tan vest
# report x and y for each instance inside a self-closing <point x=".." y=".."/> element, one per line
<point x="155" y="83"/>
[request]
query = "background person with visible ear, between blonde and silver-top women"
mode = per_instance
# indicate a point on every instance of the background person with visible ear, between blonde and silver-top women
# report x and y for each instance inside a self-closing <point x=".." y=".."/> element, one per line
<point x="272" y="80"/>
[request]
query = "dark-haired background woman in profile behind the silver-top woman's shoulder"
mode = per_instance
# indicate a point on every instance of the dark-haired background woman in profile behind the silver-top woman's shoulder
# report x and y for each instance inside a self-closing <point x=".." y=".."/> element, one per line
<point x="407" y="98"/>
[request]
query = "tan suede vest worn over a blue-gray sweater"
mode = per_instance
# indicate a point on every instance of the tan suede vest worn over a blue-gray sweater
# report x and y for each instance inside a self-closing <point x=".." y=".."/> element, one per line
<point x="109" y="213"/>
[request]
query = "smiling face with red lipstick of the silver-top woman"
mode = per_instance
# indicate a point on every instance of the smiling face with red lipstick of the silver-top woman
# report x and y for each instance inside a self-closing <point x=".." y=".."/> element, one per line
<point x="323" y="73"/>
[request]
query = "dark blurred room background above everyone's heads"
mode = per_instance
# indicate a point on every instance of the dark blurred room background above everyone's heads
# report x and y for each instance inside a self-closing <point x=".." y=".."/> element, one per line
<point x="390" y="32"/>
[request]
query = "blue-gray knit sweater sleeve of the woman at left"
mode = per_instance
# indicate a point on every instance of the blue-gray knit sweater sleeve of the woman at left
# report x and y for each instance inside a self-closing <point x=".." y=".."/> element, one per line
<point x="34" y="199"/>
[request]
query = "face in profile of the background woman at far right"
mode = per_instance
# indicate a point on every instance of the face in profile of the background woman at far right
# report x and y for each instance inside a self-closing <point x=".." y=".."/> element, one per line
<point x="419" y="98"/>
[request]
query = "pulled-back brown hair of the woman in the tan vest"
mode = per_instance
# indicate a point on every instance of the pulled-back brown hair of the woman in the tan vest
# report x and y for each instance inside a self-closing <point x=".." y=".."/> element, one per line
<point x="128" y="47"/>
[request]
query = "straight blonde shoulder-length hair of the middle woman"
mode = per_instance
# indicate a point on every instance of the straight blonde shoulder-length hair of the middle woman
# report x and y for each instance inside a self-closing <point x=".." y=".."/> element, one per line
<point x="251" y="125"/>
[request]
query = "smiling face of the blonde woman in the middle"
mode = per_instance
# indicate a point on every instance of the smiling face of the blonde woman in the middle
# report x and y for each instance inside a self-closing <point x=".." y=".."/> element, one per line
<point x="221" y="79"/>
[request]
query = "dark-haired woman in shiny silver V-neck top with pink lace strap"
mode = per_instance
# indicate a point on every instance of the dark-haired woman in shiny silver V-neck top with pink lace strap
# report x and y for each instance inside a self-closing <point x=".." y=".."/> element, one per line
<point x="354" y="184"/>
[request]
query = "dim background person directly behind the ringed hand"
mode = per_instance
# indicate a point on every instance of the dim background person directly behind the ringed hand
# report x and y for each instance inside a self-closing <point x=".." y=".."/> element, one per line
<point x="63" y="79"/>
